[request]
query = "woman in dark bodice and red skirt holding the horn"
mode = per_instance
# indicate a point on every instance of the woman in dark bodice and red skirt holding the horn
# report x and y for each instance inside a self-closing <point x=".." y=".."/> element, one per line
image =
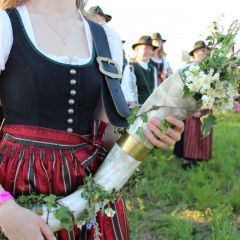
<point x="50" y="88"/>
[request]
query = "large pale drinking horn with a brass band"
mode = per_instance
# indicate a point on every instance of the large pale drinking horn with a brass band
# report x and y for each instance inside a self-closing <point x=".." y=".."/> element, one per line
<point x="130" y="149"/>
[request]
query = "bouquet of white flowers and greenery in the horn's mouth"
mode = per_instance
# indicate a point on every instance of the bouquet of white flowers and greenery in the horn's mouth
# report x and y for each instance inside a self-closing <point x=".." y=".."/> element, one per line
<point x="214" y="81"/>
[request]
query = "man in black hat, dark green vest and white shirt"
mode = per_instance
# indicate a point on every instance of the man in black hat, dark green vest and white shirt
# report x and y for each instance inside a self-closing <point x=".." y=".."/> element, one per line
<point x="140" y="77"/>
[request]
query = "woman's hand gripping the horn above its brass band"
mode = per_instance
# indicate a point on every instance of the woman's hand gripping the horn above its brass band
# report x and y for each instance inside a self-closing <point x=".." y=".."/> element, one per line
<point x="173" y="134"/>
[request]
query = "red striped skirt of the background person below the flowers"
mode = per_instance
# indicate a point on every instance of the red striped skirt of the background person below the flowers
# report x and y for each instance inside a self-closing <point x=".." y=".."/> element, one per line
<point x="195" y="146"/>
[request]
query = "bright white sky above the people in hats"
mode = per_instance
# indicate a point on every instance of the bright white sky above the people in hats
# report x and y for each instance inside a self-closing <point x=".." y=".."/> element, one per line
<point x="179" y="22"/>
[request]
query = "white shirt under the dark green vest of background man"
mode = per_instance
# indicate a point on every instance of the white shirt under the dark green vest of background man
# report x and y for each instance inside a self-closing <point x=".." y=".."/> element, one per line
<point x="127" y="84"/>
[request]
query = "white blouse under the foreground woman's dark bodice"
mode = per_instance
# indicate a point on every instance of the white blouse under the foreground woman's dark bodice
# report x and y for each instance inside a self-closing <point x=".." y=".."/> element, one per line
<point x="6" y="40"/>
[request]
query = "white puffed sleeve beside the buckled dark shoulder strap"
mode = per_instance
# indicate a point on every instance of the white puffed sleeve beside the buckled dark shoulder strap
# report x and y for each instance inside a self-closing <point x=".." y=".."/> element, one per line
<point x="115" y="45"/>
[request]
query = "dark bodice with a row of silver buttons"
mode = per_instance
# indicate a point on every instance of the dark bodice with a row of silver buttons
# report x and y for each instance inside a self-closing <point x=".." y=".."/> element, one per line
<point x="38" y="91"/>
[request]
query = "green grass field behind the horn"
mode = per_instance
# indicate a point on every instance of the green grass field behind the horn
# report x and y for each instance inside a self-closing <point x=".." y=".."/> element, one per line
<point x="200" y="203"/>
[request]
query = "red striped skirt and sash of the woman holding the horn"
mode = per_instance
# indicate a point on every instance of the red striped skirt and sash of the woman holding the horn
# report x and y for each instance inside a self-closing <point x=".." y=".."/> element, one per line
<point x="55" y="162"/>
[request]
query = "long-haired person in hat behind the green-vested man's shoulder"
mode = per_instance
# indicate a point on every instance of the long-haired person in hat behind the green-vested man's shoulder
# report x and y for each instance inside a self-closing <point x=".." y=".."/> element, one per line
<point x="158" y="58"/>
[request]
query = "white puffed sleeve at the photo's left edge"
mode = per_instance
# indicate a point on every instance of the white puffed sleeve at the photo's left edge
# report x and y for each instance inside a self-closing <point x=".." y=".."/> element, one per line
<point x="6" y="38"/>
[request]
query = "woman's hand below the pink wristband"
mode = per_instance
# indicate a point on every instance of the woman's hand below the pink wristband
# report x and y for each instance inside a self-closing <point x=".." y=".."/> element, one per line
<point x="19" y="223"/>
